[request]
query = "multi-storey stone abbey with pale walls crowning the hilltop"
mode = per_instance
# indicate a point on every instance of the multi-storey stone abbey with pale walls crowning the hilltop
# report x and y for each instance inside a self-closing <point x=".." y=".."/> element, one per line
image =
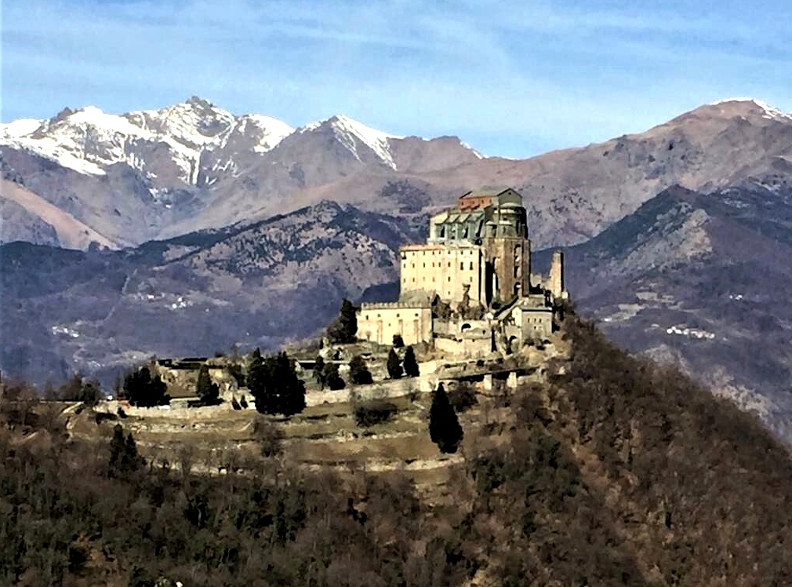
<point x="469" y="290"/>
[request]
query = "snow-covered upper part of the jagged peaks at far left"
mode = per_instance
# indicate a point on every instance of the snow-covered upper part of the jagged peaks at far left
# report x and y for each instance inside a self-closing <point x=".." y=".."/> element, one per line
<point x="165" y="145"/>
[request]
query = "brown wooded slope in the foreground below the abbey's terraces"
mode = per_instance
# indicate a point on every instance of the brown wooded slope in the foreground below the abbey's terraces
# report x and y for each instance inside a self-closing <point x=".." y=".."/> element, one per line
<point x="613" y="472"/>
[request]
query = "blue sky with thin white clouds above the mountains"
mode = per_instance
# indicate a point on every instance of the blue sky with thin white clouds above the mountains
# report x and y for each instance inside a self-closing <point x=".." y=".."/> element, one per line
<point x="510" y="77"/>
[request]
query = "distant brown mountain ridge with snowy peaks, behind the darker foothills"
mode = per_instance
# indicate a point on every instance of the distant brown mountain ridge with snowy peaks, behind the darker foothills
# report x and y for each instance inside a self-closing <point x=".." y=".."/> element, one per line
<point x="160" y="173"/>
